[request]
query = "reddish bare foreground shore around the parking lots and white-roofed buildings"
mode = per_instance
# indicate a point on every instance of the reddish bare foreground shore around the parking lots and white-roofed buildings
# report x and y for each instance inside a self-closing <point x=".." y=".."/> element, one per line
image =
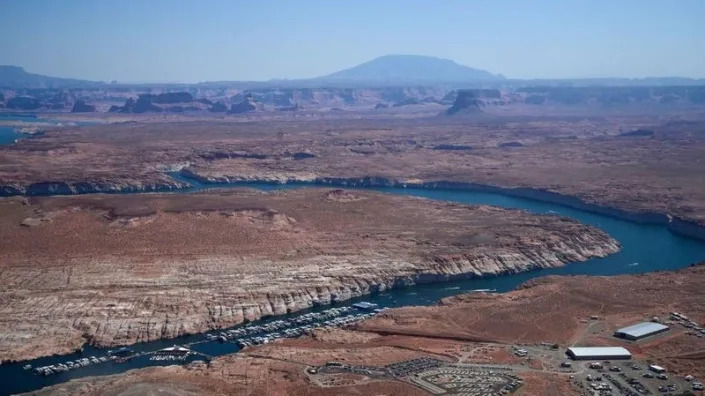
<point x="564" y="310"/>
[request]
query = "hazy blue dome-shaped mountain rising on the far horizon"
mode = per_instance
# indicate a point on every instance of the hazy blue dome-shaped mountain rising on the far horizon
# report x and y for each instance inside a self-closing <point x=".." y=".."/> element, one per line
<point x="411" y="69"/>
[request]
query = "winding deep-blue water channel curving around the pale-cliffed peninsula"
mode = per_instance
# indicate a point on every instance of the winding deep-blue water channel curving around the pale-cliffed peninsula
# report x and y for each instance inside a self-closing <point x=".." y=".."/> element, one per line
<point x="645" y="248"/>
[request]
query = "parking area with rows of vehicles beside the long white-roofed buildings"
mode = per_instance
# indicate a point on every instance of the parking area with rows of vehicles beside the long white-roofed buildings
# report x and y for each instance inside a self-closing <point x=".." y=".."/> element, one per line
<point x="467" y="377"/>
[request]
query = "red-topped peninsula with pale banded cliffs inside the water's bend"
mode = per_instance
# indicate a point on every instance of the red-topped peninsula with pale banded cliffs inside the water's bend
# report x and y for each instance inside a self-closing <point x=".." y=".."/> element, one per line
<point x="150" y="266"/>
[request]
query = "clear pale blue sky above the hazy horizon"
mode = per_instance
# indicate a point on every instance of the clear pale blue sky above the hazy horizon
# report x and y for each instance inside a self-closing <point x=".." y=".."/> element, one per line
<point x="190" y="41"/>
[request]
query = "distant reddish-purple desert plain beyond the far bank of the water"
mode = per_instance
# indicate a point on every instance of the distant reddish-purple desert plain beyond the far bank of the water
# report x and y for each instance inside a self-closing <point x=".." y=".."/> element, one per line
<point x="656" y="172"/>
